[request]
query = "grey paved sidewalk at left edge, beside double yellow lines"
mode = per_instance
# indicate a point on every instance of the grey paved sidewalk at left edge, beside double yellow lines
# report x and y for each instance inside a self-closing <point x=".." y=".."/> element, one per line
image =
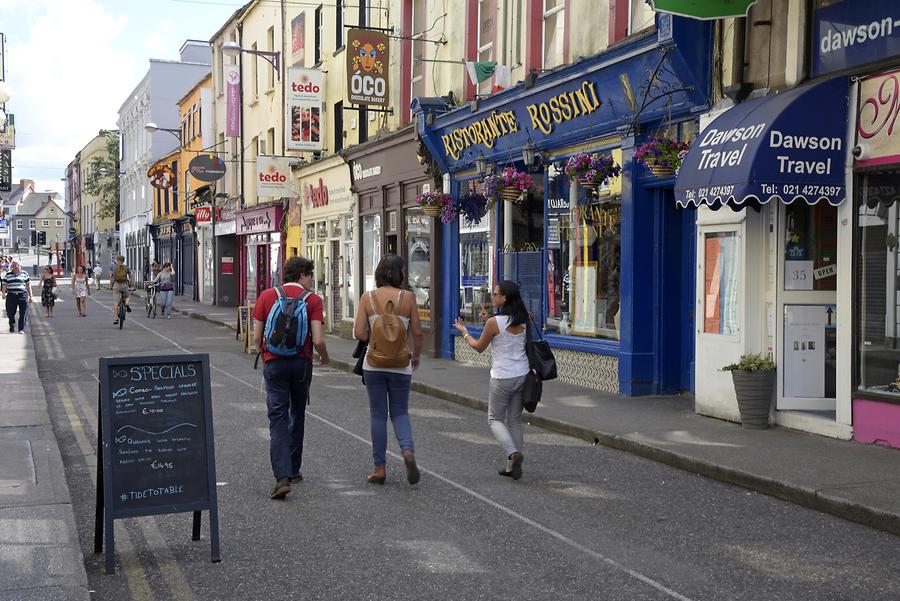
<point x="40" y="556"/>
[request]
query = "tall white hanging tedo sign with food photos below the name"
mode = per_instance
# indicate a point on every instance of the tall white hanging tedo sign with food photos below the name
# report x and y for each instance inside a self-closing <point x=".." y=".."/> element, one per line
<point x="305" y="95"/>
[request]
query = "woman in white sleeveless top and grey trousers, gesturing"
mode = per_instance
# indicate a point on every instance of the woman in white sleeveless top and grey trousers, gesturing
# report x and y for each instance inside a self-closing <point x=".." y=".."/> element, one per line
<point x="505" y="334"/>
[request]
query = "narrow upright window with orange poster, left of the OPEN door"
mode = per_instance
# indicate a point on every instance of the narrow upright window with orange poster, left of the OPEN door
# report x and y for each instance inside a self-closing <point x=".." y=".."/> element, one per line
<point x="720" y="283"/>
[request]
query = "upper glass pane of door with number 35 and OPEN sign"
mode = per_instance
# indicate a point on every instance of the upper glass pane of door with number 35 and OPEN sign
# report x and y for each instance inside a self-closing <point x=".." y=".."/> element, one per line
<point x="810" y="247"/>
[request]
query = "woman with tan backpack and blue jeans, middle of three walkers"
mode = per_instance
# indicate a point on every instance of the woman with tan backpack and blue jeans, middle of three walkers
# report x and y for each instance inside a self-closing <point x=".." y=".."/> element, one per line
<point x="382" y="320"/>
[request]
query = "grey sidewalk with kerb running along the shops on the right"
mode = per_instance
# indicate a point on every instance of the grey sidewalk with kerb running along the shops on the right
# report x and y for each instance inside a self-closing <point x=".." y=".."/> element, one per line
<point x="850" y="480"/>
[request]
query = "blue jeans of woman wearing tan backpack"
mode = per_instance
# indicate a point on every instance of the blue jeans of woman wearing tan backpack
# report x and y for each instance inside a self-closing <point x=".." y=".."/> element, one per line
<point x="388" y="391"/>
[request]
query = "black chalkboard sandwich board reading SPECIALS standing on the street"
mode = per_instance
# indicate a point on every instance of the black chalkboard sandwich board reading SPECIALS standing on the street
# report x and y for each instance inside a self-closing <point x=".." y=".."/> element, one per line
<point x="156" y="443"/>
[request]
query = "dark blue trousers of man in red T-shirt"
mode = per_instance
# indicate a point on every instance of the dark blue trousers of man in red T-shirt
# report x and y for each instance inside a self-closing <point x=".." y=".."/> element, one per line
<point x="287" y="389"/>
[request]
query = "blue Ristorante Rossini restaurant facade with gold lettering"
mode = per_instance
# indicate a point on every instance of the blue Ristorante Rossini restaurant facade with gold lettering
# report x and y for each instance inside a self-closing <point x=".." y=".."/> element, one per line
<point x="607" y="274"/>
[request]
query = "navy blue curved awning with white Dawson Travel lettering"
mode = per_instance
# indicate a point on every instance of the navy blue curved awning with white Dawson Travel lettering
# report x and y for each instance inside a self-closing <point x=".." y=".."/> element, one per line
<point x="790" y="146"/>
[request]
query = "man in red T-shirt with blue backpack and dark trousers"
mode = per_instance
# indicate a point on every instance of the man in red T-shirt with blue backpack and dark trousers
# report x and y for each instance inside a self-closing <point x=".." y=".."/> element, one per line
<point x="288" y="325"/>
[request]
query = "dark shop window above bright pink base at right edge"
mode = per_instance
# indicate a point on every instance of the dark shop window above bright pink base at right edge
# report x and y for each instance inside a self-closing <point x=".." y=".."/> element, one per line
<point x="877" y="299"/>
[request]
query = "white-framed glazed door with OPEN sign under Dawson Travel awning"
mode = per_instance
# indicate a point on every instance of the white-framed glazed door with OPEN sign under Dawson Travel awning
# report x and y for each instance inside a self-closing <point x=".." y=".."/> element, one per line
<point x="806" y="307"/>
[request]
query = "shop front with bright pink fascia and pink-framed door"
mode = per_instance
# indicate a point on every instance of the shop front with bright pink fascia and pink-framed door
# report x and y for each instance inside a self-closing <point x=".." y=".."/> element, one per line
<point x="260" y="237"/>
